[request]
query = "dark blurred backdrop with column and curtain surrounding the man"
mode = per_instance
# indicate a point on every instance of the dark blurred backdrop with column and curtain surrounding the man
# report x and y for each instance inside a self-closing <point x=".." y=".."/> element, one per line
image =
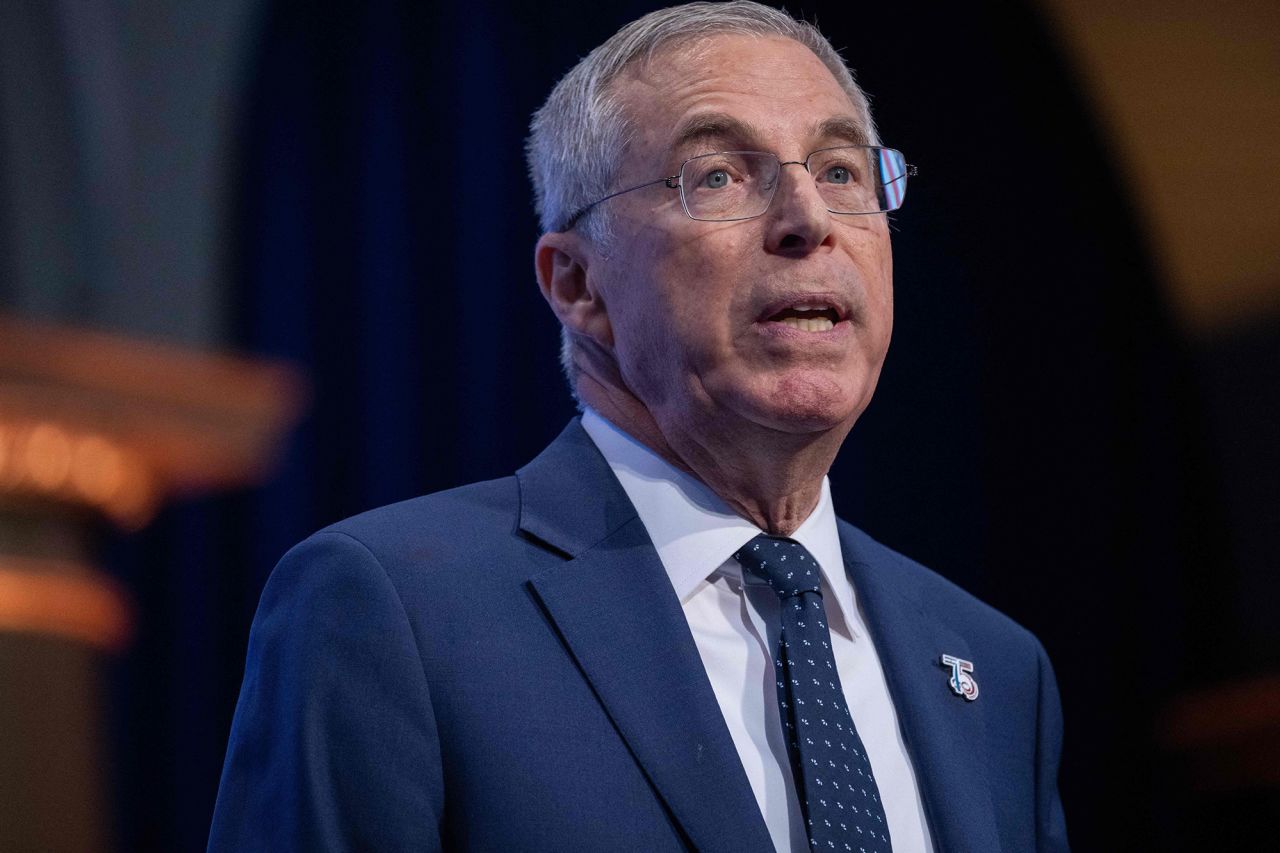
<point x="1078" y="421"/>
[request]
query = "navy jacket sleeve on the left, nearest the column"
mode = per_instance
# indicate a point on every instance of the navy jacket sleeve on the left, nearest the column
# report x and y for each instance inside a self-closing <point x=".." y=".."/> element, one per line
<point x="335" y="745"/>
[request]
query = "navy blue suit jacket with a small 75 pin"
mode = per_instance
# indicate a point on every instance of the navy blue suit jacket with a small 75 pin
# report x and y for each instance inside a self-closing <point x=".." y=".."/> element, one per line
<point x="506" y="667"/>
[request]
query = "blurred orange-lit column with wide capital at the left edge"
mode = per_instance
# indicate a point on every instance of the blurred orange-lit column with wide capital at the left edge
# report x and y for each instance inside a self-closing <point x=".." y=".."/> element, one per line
<point x="95" y="426"/>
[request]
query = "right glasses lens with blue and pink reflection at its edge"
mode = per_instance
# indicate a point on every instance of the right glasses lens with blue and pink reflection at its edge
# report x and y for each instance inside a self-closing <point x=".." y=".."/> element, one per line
<point x="860" y="180"/>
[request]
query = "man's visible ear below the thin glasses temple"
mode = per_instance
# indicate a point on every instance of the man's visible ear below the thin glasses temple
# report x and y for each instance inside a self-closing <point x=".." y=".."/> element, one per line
<point x="561" y="262"/>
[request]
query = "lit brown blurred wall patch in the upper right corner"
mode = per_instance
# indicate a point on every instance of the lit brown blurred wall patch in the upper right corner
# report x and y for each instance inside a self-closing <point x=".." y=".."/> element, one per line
<point x="1190" y="94"/>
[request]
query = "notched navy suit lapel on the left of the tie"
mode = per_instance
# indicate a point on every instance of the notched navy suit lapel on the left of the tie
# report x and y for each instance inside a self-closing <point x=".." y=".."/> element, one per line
<point x="616" y="612"/>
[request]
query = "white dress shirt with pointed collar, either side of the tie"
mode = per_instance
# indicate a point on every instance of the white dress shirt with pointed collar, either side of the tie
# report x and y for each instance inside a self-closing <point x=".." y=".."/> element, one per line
<point x="734" y="622"/>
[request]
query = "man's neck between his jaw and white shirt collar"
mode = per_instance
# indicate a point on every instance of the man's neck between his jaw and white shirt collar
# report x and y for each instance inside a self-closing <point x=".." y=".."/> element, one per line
<point x="769" y="477"/>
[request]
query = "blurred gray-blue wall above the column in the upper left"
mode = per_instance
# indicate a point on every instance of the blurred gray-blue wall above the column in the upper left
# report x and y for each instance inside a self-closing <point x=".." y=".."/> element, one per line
<point x="117" y="161"/>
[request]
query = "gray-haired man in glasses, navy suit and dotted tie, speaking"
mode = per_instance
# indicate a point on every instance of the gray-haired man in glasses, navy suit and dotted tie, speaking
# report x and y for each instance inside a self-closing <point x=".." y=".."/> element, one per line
<point x="610" y="650"/>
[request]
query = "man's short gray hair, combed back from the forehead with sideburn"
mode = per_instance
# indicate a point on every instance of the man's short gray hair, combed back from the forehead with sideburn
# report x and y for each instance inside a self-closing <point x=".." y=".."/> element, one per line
<point x="577" y="136"/>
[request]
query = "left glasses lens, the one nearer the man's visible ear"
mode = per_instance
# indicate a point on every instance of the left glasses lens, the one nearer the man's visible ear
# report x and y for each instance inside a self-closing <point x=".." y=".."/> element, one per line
<point x="729" y="185"/>
